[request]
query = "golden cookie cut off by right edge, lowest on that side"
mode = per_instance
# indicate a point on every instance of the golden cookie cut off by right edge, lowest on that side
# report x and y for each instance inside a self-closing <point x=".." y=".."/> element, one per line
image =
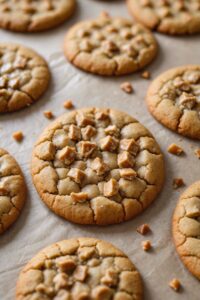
<point x="186" y="228"/>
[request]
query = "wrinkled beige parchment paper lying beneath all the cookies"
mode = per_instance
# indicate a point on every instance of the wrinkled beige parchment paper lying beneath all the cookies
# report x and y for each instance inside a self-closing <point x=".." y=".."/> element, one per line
<point x="37" y="226"/>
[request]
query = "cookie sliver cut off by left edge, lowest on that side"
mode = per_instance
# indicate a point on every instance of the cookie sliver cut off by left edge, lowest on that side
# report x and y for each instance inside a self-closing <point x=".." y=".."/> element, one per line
<point x="12" y="190"/>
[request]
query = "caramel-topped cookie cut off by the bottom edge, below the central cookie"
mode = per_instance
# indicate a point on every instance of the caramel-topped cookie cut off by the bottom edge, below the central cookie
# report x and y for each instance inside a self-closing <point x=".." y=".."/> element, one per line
<point x="77" y="269"/>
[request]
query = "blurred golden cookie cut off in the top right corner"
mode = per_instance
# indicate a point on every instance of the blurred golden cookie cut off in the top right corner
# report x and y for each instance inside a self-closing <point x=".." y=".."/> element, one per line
<point x="167" y="16"/>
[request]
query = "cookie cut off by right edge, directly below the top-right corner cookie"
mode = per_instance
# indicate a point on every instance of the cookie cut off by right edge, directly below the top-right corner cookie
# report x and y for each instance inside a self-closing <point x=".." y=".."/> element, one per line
<point x="173" y="99"/>
